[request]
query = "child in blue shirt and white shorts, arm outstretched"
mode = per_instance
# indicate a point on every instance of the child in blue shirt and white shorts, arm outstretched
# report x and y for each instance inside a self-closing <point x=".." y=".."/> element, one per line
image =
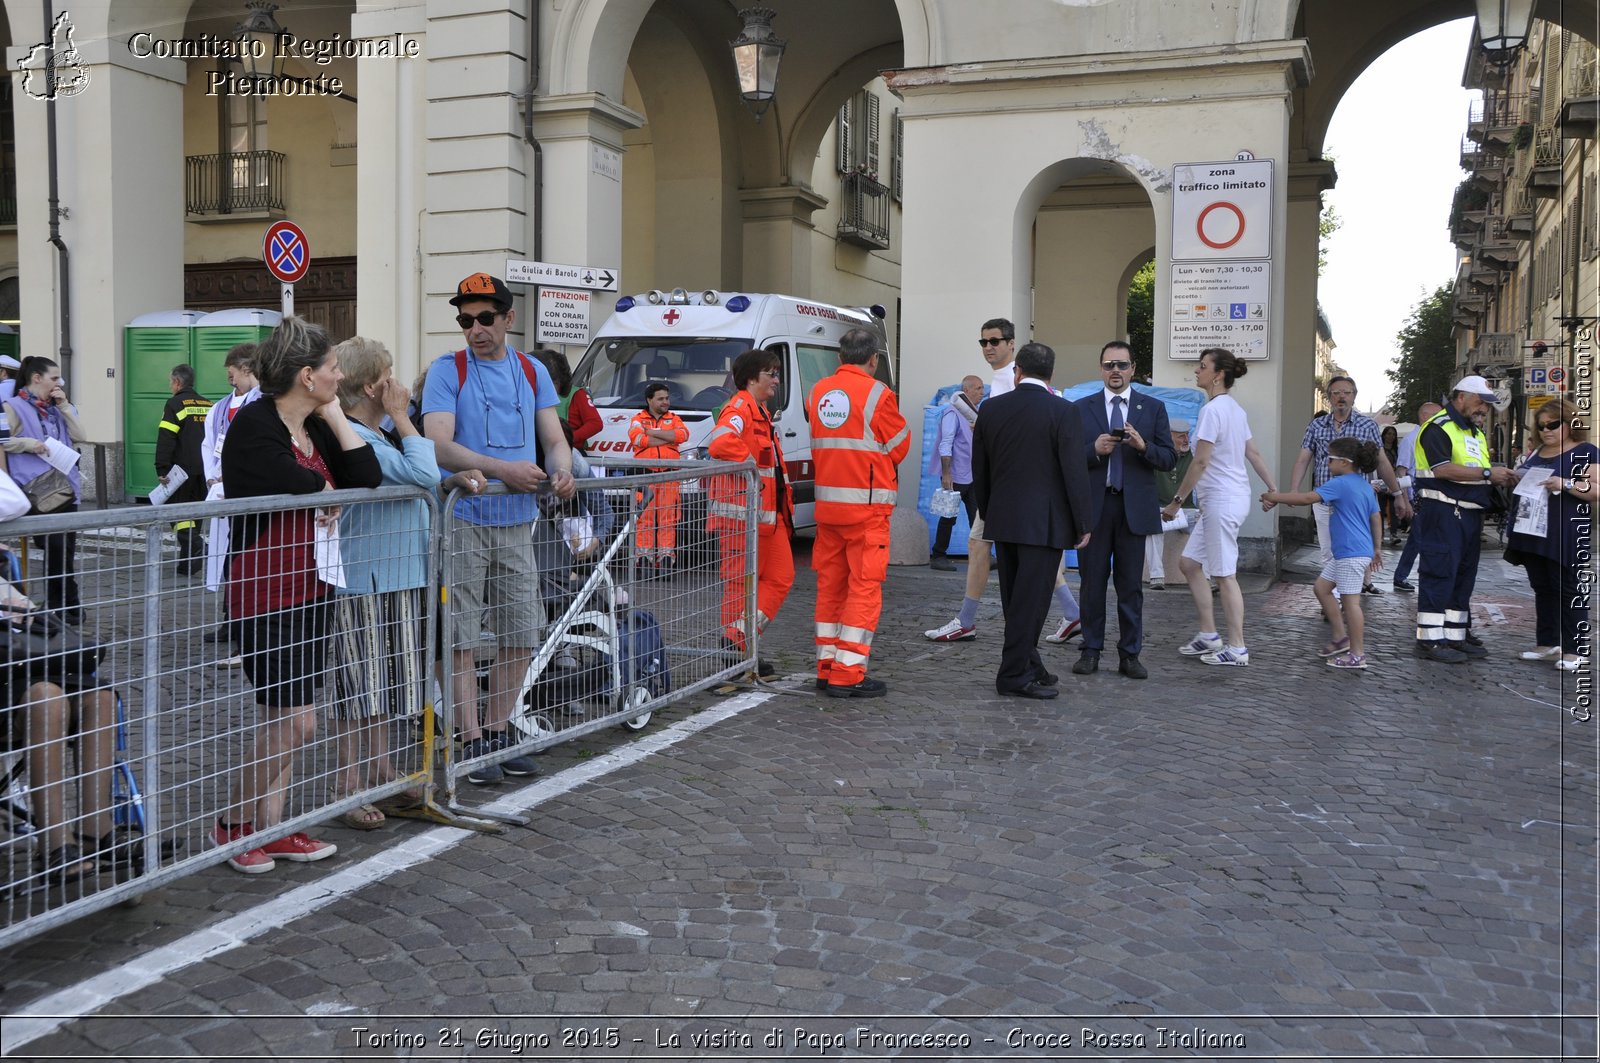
<point x="1358" y="532"/>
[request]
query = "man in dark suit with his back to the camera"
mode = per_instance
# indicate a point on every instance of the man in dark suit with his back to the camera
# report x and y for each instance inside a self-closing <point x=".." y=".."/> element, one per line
<point x="1033" y="492"/>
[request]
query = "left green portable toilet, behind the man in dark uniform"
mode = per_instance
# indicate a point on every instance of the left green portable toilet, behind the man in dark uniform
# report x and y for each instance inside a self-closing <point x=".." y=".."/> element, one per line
<point x="151" y="347"/>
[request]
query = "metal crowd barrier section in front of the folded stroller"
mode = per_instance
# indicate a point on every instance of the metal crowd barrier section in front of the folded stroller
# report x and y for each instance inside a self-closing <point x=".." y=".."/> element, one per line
<point x="606" y="638"/>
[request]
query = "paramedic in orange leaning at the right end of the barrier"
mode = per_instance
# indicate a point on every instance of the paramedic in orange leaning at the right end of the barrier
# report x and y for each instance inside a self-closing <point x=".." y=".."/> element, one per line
<point x="745" y="433"/>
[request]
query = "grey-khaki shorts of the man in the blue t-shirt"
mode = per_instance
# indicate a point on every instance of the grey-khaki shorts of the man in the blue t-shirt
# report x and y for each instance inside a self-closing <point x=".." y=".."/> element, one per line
<point x="495" y="585"/>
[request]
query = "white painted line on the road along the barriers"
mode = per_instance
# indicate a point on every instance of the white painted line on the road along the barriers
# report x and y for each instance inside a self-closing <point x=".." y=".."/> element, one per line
<point x="52" y="1013"/>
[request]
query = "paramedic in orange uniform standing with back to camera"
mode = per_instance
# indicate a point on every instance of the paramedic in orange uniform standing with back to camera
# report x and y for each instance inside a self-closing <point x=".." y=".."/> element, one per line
<point x="858" y="438"/>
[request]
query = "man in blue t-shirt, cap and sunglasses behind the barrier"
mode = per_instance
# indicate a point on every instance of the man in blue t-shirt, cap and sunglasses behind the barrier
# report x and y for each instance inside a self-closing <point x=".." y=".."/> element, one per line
<point x="492" y="407"/>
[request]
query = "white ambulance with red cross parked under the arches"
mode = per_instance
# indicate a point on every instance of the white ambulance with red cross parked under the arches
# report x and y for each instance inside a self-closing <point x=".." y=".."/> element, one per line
<point x="689" y="342"/>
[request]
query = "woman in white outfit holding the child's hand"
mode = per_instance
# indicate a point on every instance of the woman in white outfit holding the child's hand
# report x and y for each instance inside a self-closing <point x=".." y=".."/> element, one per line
<point x="1222" y="483"/>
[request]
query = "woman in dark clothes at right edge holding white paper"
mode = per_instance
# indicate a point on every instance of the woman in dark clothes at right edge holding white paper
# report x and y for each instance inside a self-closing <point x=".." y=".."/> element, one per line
<point x="1554" y="545"/>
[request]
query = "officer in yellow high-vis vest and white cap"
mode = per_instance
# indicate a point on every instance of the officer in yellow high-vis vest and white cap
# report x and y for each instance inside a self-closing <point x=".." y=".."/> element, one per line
<point x="1454" y="489"/>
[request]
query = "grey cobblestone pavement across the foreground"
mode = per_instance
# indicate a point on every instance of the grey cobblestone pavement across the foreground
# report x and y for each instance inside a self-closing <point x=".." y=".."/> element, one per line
<point x="1278" y="860"/>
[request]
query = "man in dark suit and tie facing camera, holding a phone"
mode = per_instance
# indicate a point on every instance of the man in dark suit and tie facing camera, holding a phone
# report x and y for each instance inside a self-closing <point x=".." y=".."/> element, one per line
<point x="1129" y="439"/>
